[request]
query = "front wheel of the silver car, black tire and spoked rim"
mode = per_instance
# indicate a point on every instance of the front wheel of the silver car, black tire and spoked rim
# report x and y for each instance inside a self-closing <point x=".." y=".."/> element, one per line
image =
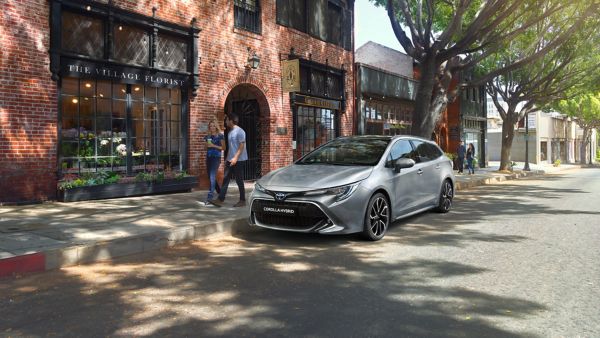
<point x="377" y="217"/>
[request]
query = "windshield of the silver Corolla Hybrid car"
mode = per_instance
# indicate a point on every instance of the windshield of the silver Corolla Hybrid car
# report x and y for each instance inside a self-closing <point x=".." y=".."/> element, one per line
<point x="348" y="151"/>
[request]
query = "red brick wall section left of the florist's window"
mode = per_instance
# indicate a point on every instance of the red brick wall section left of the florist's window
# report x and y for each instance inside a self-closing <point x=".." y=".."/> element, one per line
<point x="28" y="104"/>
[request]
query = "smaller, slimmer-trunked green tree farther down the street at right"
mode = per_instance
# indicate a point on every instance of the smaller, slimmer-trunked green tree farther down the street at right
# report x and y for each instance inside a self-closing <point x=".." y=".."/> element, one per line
<point x="563" y="72"/>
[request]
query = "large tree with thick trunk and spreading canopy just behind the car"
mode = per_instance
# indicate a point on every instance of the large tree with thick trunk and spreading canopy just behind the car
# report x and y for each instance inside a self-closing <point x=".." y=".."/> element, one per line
<point x="446" y="37"/>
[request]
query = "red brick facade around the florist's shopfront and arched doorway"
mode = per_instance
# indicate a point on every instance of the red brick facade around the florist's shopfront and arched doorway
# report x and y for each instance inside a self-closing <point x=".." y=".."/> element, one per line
<point x="28" y="98"/>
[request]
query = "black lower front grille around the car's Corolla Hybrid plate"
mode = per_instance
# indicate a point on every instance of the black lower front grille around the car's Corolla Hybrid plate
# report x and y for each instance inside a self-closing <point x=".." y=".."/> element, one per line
<point x="308" y="215"/>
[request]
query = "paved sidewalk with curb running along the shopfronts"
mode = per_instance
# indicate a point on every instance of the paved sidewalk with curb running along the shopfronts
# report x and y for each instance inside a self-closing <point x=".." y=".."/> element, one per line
<point x="52" y="235"/>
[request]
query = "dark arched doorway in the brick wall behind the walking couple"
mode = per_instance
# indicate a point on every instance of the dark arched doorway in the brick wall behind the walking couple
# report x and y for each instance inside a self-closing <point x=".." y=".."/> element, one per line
<point x="250" y="104"/>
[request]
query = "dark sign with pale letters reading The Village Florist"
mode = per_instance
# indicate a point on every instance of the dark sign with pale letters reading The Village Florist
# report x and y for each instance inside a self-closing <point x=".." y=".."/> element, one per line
<point x="123" y="74"/>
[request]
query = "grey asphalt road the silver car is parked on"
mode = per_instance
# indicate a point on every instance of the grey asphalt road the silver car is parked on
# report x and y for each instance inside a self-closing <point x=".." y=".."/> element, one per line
<point x="519" y="259"/>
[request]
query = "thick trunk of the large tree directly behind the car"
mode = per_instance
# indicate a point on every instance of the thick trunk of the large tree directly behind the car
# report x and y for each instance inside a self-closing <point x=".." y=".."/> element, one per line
<point x="423" y="114"/>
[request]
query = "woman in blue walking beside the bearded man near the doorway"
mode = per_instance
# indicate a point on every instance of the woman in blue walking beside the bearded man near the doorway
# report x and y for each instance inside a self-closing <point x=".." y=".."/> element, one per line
<point x="215" y="144"/>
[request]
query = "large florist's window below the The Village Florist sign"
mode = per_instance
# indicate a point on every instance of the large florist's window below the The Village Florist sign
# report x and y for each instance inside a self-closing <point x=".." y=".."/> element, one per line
<point x="95" y="134"/>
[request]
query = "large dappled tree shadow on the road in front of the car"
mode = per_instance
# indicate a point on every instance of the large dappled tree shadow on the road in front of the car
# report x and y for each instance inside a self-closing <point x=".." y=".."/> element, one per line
<point x="268" y="284"/>
